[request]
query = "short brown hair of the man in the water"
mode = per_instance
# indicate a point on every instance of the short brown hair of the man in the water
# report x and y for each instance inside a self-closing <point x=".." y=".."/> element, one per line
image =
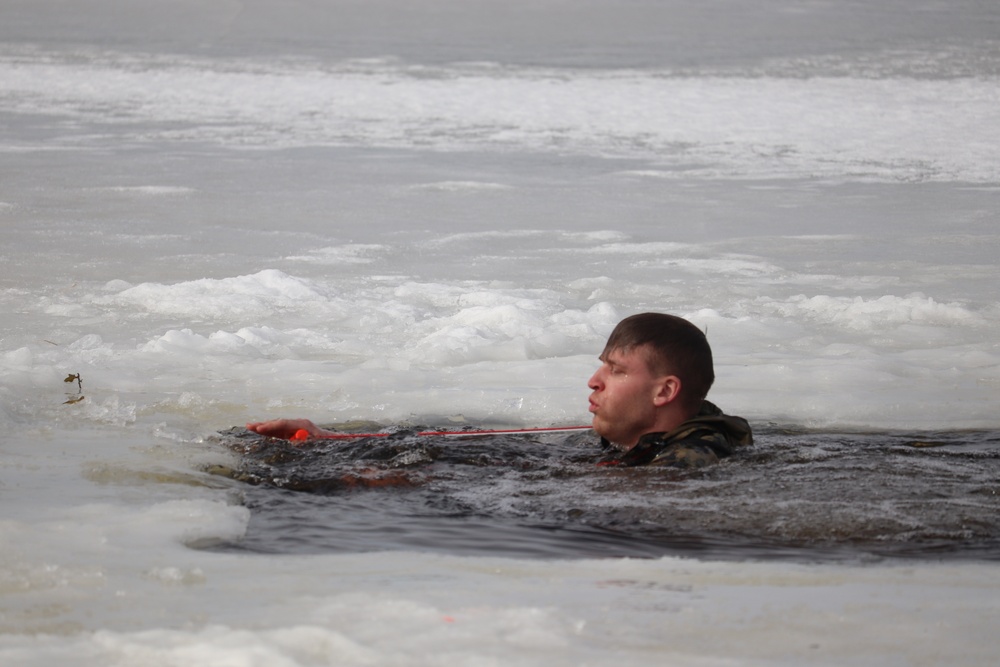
<point x="674" y="347"/>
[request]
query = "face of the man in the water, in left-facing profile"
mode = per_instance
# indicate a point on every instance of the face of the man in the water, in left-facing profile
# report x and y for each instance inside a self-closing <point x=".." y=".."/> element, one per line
<point x="624" y="390"/>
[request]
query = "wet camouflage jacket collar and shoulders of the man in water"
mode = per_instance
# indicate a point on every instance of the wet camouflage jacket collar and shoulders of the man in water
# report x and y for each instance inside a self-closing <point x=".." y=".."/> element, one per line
<point x="700" y="441"/>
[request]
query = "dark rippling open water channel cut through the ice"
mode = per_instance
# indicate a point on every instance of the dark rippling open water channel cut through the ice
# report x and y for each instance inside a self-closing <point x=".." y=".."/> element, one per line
<point x="795" y="494"/>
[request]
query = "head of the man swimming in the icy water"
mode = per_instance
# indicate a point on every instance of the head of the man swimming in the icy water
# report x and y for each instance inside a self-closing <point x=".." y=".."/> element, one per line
<point x="656" y="370"/>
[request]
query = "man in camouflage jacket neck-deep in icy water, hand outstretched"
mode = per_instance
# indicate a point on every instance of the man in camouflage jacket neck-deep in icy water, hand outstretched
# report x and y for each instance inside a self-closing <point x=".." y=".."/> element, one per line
<point x="648" y="398"/>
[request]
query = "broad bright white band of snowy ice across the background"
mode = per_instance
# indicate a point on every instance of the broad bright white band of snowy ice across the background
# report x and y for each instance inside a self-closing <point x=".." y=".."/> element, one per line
<point x="880" y="129"/>
